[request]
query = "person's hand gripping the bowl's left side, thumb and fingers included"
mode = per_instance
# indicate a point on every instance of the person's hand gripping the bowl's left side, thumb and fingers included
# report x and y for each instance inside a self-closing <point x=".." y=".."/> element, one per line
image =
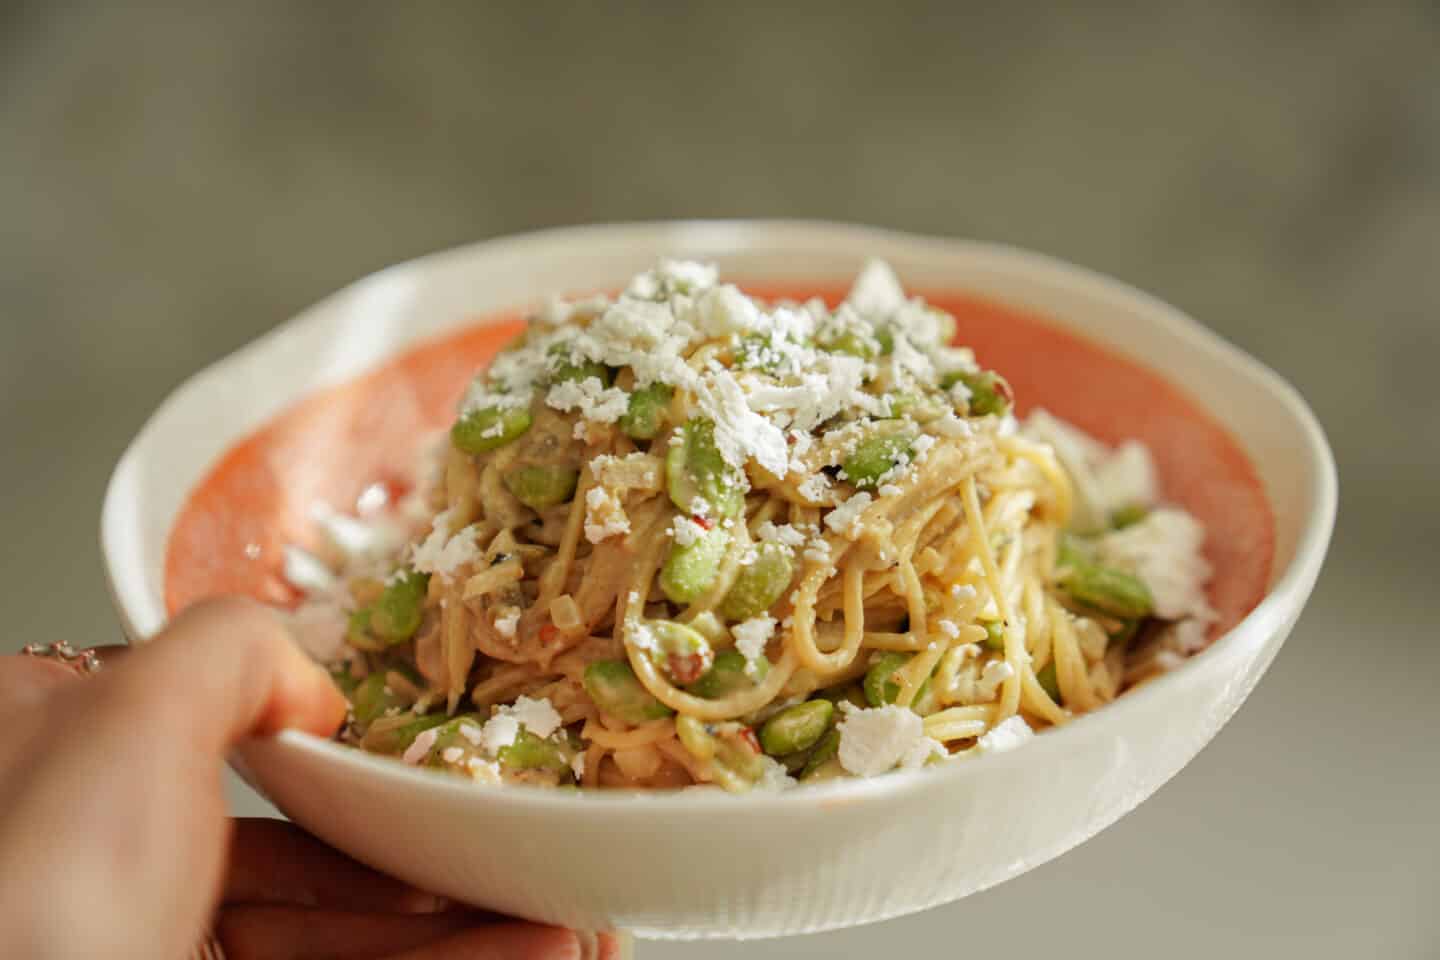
<point x="114" y="840"/>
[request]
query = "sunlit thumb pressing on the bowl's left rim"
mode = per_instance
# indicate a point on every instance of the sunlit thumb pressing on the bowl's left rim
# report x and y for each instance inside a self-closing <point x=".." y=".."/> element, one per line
<point x="230" y="670"/>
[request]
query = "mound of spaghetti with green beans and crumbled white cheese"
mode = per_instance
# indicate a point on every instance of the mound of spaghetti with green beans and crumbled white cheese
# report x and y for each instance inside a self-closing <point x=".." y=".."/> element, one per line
<point x="685" y="538"/>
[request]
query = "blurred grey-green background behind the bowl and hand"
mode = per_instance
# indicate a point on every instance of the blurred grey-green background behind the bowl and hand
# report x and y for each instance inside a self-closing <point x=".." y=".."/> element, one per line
<point x="175" y="184"/>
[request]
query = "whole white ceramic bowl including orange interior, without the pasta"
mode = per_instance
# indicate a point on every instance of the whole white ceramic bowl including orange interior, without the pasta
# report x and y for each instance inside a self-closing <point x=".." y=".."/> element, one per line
<point x="222" y="474"/>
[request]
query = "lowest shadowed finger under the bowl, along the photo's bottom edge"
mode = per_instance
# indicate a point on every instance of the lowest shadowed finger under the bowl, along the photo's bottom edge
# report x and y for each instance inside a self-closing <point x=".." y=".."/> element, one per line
<point x="258" y="932"/>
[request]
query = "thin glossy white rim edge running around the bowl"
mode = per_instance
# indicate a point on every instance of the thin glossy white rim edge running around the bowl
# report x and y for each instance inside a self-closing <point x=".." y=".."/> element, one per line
<point x="1281" y="604"/>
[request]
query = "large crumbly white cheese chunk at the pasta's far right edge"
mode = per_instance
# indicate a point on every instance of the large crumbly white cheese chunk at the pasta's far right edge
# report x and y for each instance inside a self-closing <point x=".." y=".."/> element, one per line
<point x="1164" y="551"/>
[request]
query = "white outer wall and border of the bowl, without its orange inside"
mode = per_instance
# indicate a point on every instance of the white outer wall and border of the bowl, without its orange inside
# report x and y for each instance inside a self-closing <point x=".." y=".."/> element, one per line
<point x="703" y="866"/>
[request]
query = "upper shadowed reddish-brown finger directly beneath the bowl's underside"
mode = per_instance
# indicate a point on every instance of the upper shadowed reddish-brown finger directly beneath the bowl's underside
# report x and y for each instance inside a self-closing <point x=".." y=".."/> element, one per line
<point x="277" y="863"/>
